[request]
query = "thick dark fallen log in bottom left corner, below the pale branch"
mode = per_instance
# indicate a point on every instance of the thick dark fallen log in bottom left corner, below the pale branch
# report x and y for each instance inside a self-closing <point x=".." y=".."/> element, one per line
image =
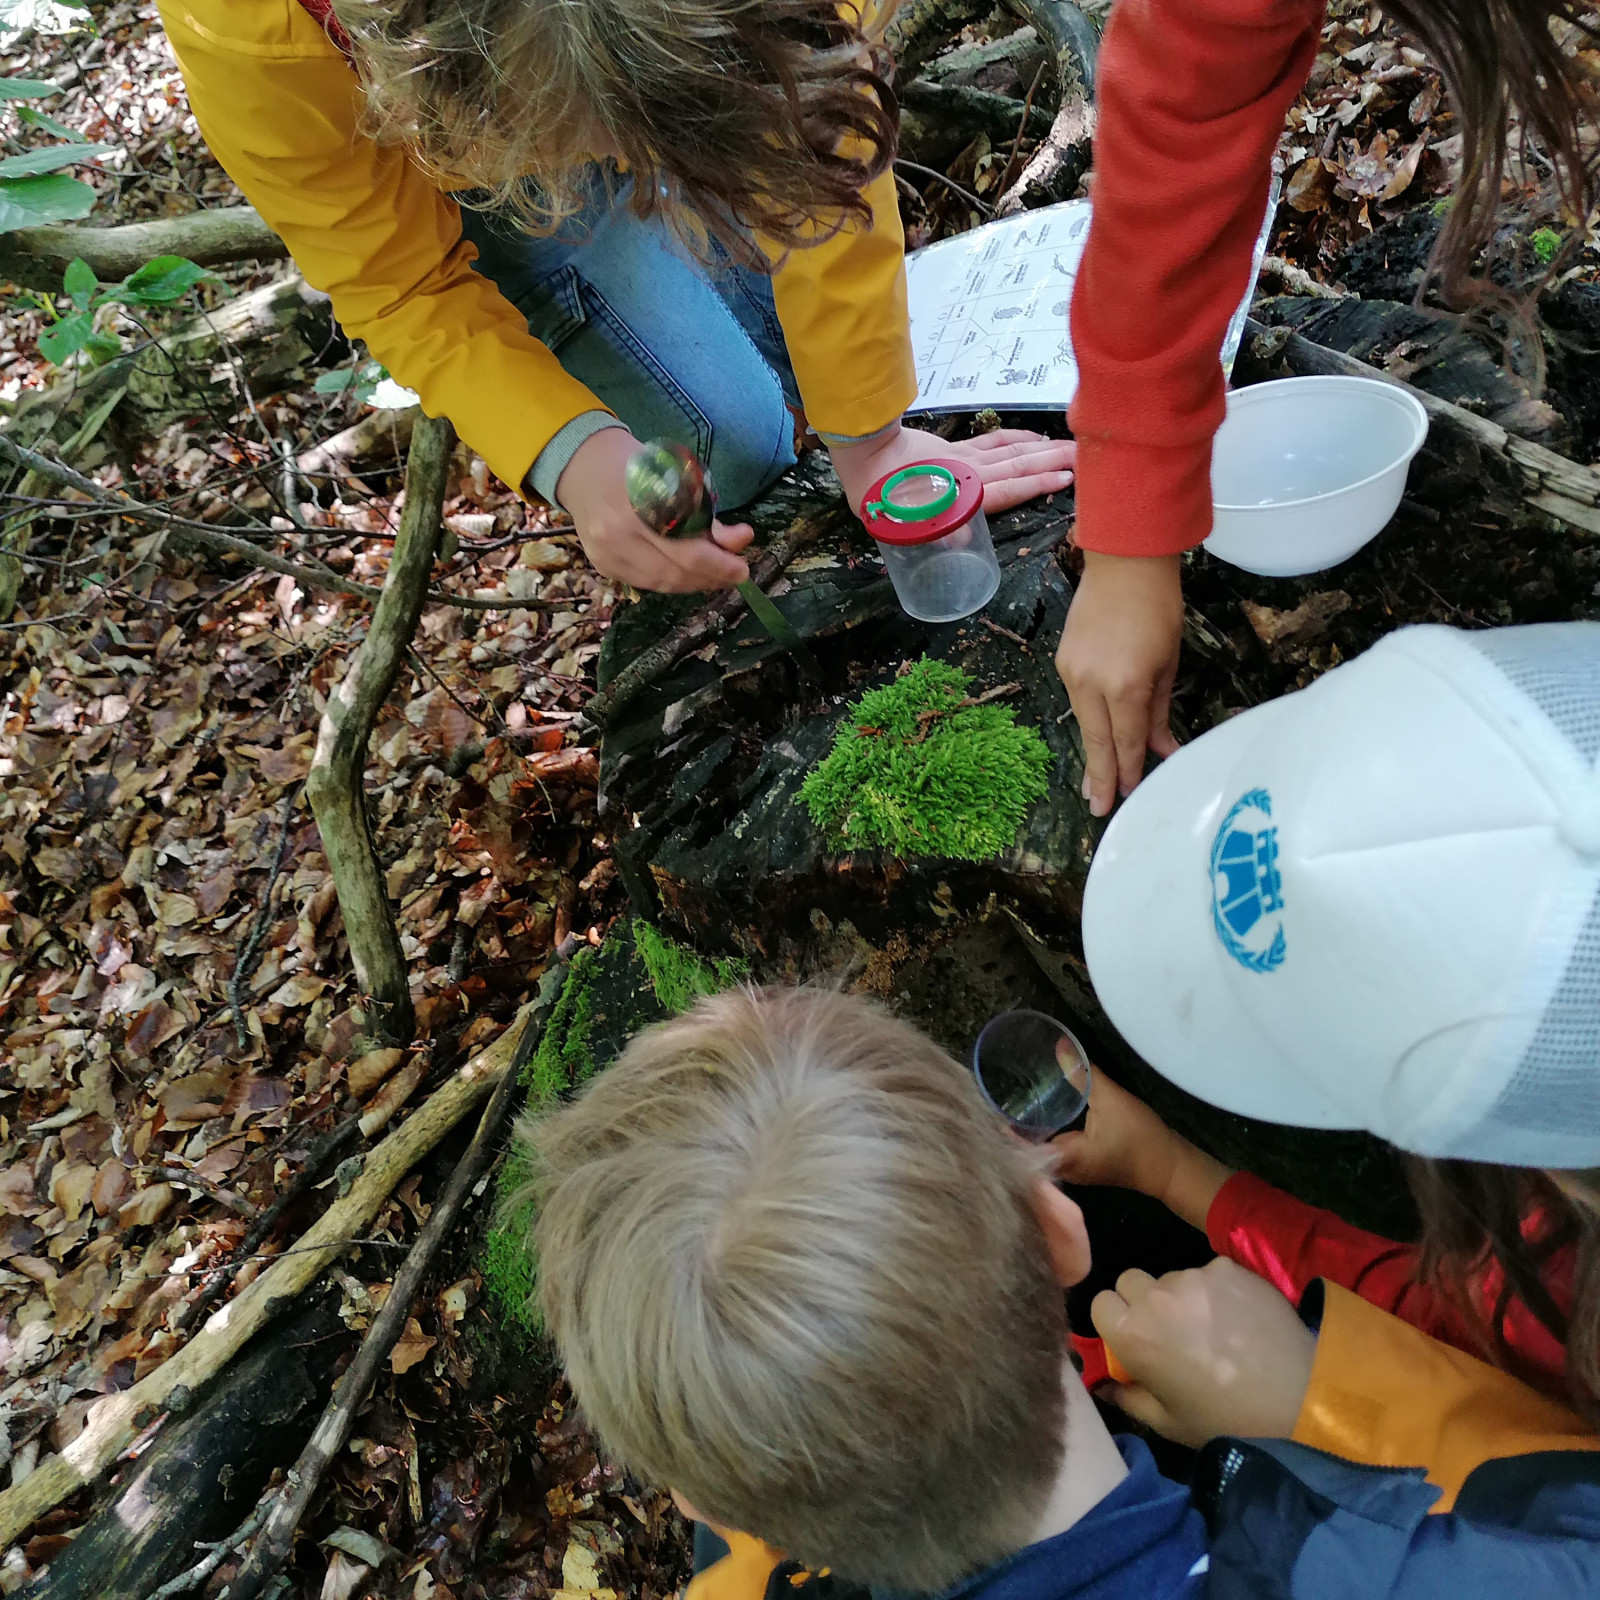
<point x="199" y="1481"/>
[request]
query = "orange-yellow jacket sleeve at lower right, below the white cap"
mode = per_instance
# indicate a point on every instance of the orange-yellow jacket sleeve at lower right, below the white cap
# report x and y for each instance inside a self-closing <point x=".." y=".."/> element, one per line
<point x="1386" y="1394"/>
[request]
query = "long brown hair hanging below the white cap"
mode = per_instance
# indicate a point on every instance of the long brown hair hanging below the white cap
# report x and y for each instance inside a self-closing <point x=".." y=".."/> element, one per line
<point x="1522" y="1220"/>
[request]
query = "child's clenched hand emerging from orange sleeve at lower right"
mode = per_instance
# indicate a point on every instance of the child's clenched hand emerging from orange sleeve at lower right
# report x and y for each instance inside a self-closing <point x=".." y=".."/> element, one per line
<point x="1212" y="1351"/>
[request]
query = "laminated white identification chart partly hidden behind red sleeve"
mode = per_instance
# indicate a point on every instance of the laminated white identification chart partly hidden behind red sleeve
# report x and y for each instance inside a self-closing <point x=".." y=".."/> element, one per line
<point x="990" y="311"/>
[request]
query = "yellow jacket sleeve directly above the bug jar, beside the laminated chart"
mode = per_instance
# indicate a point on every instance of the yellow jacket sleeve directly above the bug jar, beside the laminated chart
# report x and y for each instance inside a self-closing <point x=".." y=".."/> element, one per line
<point x="842" y="306"/>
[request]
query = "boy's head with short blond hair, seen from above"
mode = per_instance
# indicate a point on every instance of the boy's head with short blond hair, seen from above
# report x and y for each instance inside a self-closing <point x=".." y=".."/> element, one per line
<point x="794" y="1271"/>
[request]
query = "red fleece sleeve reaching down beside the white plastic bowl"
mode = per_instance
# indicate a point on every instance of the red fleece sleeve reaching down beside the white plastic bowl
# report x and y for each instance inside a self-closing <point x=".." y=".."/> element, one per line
<point x="1191" y="100"/>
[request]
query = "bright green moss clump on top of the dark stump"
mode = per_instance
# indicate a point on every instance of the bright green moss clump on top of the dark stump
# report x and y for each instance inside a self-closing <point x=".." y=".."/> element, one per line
<point x="924" y="769"/>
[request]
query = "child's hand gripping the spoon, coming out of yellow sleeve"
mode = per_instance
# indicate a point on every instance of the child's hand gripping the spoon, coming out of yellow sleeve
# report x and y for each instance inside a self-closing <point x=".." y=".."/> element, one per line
<point x="618" y="545"/>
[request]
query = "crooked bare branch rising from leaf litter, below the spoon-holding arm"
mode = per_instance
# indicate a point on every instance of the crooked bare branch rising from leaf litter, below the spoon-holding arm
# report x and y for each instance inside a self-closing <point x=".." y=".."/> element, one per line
<point x="337" y="782"/>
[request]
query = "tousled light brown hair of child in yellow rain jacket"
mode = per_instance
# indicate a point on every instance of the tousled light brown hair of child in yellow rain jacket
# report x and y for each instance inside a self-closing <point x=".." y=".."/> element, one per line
<point x="730" y="116"/>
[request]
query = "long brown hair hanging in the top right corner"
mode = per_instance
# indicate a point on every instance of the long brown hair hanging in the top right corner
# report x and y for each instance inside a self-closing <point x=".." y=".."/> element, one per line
<point x="1500" y="57"/>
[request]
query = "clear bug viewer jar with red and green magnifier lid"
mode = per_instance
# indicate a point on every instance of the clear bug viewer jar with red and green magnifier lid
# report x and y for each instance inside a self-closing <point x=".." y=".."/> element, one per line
<point x="929" y="522"/>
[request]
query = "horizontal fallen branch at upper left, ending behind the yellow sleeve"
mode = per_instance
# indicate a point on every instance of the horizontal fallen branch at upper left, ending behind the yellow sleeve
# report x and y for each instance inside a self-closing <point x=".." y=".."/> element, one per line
<point x="38" y="257"/>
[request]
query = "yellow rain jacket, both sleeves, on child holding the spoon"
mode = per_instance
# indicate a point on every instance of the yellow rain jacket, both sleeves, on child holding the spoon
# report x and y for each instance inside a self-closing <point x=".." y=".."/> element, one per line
<point x="279" y="106"/>
